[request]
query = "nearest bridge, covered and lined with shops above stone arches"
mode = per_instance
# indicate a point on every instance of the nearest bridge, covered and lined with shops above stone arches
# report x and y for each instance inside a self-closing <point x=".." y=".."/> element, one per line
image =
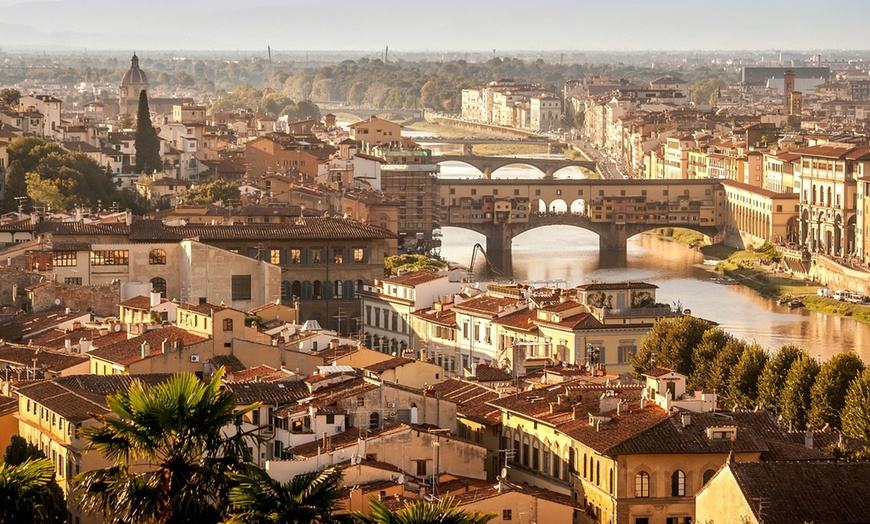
<point x="613" y="209"/>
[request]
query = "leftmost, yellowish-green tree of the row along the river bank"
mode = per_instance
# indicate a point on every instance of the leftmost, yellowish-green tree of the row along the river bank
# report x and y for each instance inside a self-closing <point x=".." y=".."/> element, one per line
<point x="672" y="340"/>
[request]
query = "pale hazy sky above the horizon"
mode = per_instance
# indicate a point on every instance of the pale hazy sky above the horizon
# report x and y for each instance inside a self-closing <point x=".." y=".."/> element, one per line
<point x="449" y="25"/>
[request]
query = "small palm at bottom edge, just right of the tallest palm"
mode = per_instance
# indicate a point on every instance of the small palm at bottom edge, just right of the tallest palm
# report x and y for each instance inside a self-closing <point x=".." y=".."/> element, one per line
<point x="308" y="498"/>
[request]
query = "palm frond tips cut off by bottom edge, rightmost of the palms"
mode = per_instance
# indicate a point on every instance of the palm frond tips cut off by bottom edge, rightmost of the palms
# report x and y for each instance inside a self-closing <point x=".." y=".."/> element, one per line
<point x="421" y="512"/>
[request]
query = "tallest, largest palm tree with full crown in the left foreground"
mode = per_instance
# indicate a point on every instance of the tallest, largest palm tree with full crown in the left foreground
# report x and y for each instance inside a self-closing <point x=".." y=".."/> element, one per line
<point x="172" y="453"/>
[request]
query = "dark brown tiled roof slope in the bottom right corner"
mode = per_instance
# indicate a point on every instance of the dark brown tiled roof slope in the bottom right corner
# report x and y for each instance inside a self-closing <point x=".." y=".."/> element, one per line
<point x="820" y="492"/>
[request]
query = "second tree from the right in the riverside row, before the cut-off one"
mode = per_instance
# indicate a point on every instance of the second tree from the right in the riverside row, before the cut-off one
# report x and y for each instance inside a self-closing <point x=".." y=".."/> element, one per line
<point x="828" y="394"/>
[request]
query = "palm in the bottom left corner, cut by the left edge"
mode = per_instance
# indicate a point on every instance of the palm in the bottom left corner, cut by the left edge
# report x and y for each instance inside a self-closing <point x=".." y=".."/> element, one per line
<point x="25" y="496"/>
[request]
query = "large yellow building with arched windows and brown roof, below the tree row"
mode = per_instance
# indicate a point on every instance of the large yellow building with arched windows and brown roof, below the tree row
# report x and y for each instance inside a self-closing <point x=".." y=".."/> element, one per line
<point x="629" y="461"/>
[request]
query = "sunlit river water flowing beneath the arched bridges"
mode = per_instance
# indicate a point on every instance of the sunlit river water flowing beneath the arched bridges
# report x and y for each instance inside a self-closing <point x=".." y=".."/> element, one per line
<point x="571" y="255"/>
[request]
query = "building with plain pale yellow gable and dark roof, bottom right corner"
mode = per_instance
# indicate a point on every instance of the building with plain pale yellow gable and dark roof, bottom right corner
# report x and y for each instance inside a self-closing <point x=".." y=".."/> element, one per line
<point x="785" y="492"/>
